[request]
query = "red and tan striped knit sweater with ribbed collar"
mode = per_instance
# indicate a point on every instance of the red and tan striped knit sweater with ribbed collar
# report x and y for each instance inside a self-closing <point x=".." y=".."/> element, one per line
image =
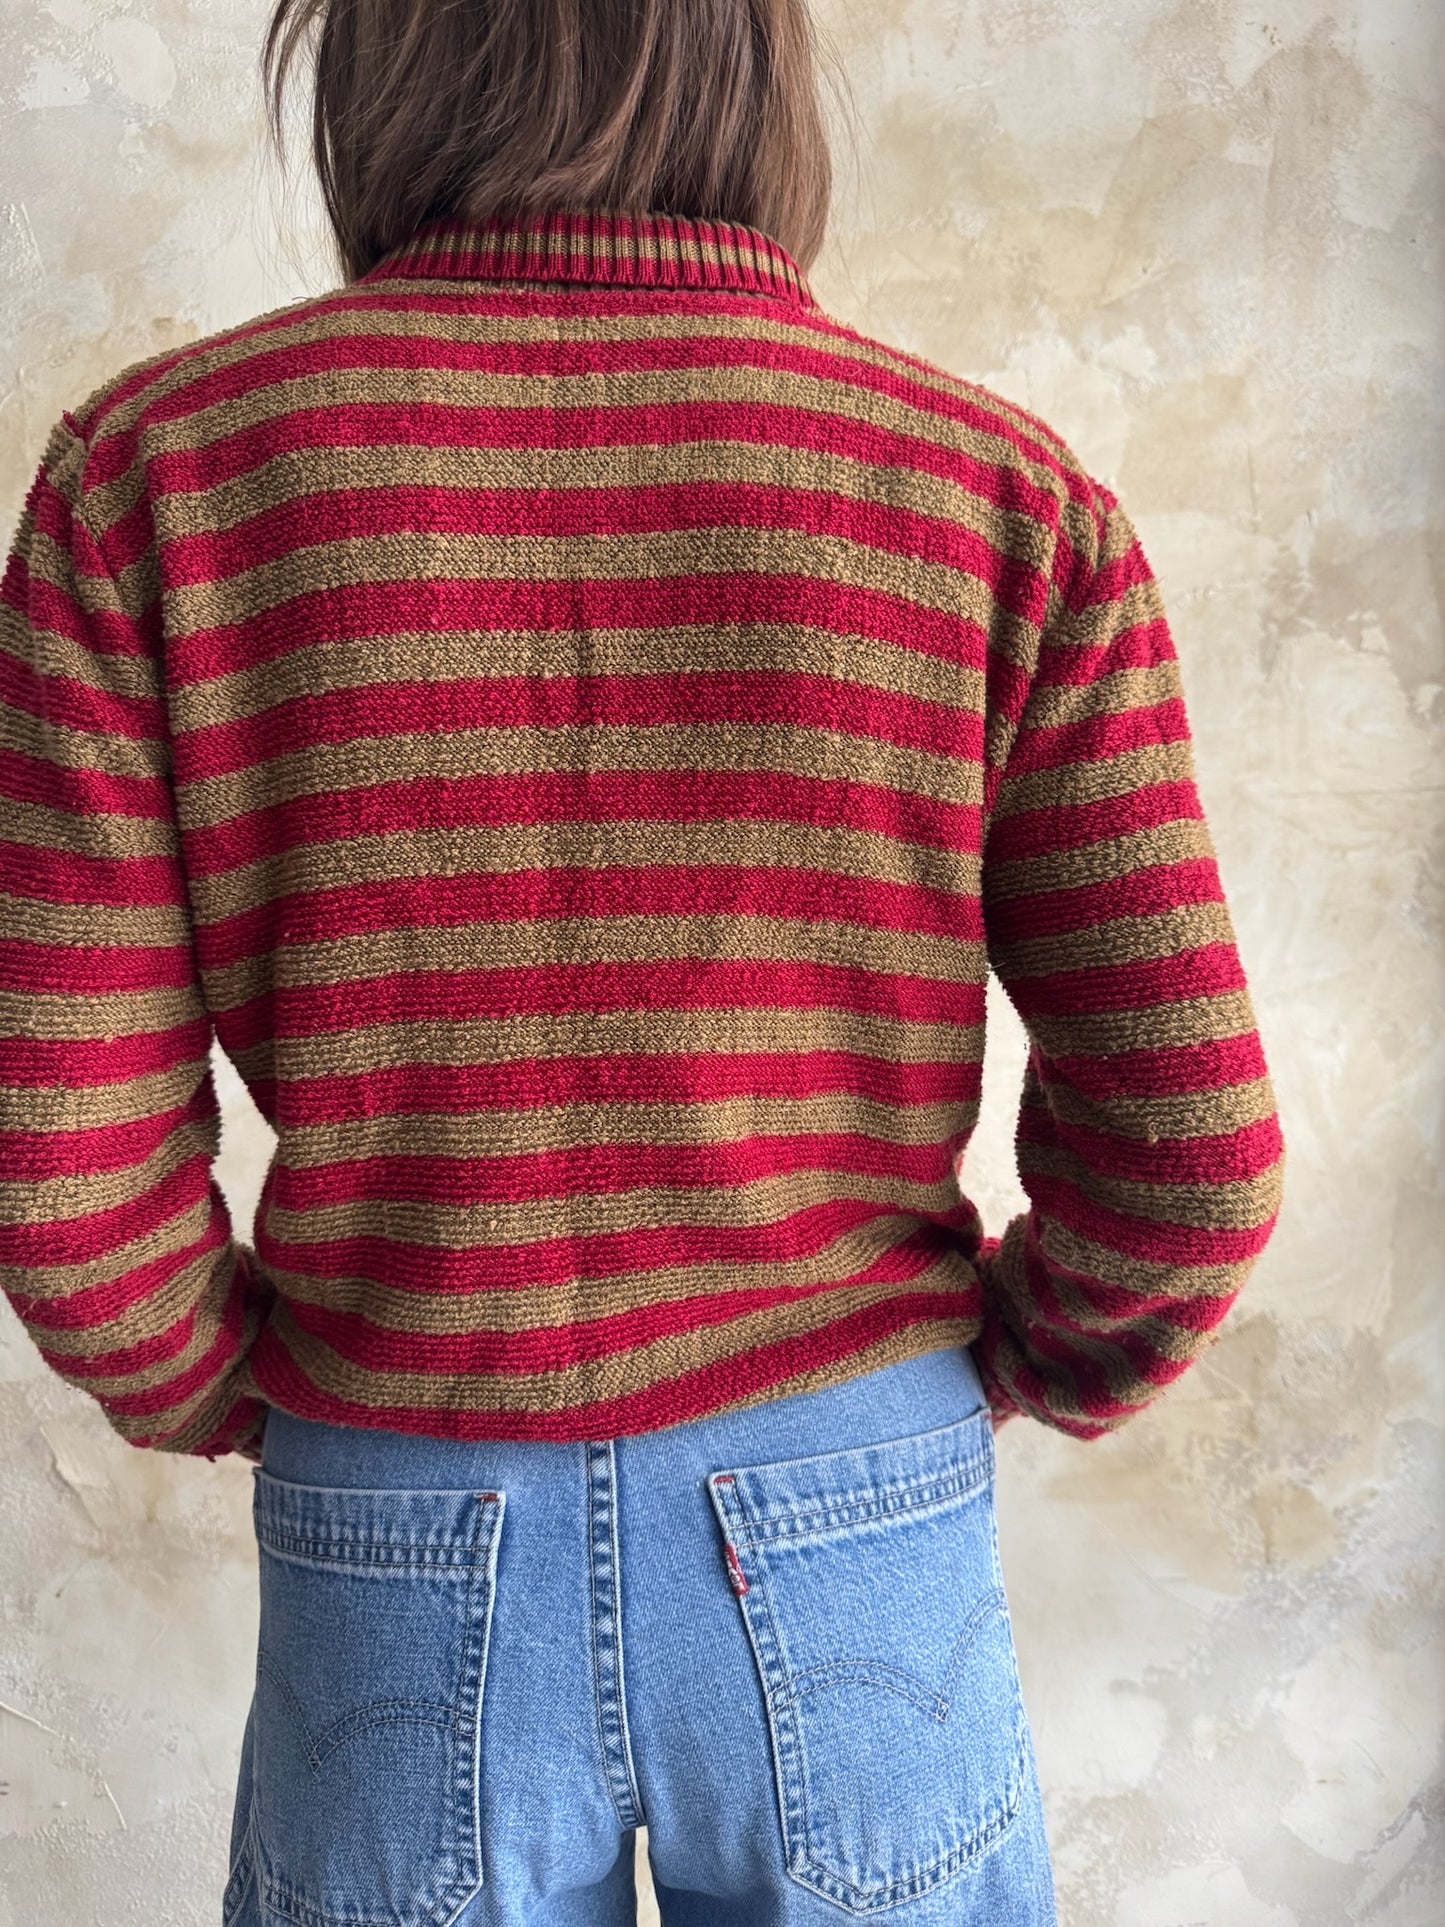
<point x="579" y="726"/>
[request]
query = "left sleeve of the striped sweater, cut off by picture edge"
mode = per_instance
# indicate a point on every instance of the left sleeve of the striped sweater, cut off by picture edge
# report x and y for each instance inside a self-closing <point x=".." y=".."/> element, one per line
<point x="117" y="1248"/>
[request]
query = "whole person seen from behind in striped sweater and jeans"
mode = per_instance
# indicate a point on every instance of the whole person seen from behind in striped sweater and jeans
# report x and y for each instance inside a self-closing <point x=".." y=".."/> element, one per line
<point x="579" y="724"/>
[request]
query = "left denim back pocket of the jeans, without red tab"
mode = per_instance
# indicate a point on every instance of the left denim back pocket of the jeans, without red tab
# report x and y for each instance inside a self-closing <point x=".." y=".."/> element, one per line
<point x="375" y="1623"/>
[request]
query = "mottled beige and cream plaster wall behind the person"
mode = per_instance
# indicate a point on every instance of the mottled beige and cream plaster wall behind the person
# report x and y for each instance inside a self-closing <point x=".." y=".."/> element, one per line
<point x="1203" y="240"/>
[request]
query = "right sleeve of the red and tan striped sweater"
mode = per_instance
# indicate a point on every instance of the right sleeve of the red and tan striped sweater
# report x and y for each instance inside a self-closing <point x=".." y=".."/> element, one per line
<point x="1149" y="1144"/>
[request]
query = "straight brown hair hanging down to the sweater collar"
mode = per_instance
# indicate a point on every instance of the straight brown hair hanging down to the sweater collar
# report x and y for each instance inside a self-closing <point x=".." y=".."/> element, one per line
<point x="702" y="109"/>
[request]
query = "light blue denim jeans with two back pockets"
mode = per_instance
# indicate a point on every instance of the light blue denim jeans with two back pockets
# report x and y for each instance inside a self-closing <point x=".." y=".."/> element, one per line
<point x="777" y="1639"/>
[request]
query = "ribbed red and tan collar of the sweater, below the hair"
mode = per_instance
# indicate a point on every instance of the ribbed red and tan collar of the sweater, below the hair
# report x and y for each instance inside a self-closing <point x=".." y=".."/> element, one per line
<point x="598" y="246"/>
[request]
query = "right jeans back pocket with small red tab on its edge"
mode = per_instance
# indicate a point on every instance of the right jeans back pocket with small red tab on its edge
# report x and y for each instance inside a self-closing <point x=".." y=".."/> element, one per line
<point x="874" y="1600"/>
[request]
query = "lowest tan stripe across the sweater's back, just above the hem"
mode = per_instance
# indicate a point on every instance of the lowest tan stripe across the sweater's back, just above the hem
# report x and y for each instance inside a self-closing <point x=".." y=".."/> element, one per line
<point x="606" y="1379"/>
